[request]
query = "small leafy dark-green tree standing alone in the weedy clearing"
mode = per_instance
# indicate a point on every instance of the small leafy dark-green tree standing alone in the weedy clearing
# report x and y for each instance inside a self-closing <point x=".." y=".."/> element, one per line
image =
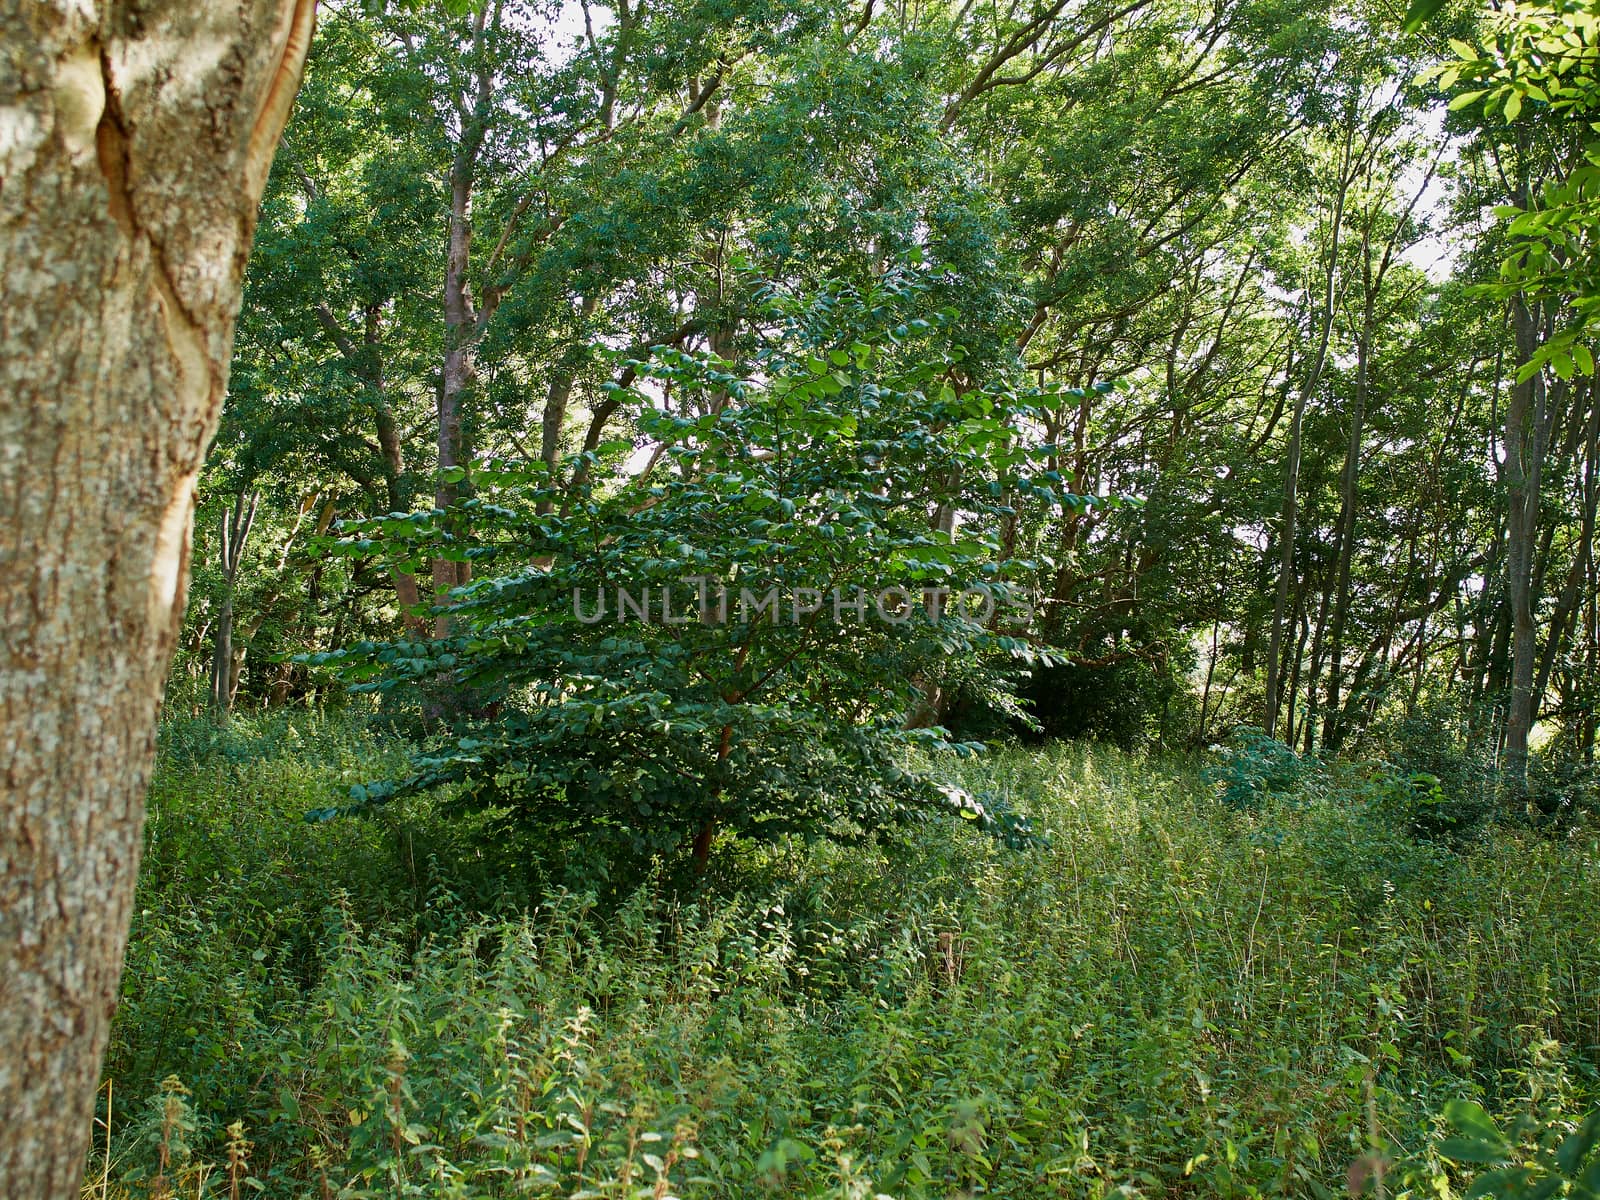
<point x="740" y="634"/>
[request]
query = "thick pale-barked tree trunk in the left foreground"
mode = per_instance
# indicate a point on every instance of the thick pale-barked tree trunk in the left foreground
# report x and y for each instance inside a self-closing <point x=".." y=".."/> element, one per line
<point x="135" y="142"/>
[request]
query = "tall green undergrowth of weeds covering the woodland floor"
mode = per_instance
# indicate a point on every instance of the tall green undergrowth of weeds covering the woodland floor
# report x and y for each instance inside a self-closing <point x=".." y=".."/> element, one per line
<point x="1170" y="998"/>
